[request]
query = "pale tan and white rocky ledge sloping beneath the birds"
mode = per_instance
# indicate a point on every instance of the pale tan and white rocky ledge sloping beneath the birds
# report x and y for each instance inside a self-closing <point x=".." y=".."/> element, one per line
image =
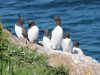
<point x="76" y="64"/>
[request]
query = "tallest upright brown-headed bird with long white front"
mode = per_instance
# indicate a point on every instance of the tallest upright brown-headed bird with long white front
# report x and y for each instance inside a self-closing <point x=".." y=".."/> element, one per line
<point x="57" y="34"/>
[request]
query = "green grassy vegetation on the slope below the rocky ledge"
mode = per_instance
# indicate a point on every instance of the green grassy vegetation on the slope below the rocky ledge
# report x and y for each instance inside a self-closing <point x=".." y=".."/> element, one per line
<point x="18" y="60"/>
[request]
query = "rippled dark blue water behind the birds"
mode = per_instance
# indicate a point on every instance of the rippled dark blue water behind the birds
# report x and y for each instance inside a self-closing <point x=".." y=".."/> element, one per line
<point x="81" y="18"/>
